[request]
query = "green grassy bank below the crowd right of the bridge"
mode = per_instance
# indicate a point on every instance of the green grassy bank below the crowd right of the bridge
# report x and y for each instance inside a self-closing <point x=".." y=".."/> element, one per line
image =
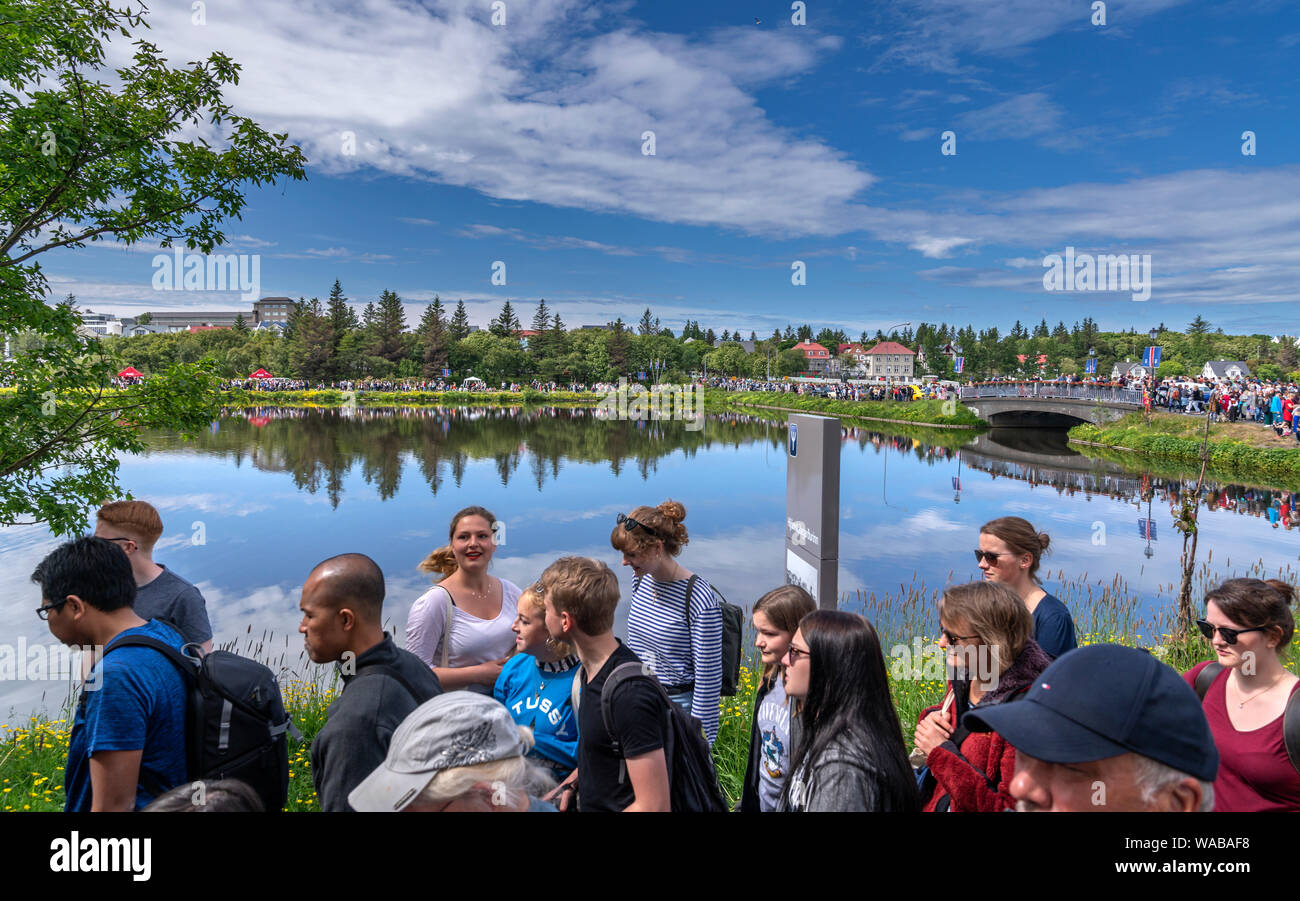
<point x="1237" y="450"/>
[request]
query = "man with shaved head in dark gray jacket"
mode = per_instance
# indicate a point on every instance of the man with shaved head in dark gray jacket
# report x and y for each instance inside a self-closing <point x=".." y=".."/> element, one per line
<point x="343" y="608"/>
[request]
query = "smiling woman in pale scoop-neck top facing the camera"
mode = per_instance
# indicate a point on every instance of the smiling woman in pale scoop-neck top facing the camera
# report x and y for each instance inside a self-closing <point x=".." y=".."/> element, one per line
<point x="463" y="626"/>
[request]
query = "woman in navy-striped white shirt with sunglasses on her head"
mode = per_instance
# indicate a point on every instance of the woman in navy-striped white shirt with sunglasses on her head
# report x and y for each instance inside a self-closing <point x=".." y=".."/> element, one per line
<point x="684" y="647"/>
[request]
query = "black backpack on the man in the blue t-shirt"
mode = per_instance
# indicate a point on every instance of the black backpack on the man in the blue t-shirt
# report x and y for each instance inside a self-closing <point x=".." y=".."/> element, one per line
<point x="236" y="724"/>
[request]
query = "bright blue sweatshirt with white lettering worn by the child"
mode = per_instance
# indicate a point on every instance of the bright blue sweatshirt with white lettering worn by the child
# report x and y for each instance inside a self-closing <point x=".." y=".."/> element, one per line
<point x="540" y="696"/>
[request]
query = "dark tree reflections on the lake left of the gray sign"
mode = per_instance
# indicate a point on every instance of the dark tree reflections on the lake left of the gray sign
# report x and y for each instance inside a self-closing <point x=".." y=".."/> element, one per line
<point x="319" y="448"/>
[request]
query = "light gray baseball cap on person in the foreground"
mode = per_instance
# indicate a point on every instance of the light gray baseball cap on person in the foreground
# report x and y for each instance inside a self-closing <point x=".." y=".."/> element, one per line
<point x="452" y="730"/>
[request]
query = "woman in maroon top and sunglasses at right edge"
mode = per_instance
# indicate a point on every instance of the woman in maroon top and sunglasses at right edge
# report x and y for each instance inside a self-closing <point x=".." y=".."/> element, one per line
<point x="1246" y="694"/>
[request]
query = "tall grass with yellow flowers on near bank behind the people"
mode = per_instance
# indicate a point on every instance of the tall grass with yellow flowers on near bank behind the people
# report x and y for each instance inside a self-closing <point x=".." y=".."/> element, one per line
<point x="34" y="753"/>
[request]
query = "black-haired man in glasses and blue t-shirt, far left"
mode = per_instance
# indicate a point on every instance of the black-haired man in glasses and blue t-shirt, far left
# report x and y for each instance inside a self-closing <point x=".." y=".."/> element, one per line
<point x="132" y="716"/>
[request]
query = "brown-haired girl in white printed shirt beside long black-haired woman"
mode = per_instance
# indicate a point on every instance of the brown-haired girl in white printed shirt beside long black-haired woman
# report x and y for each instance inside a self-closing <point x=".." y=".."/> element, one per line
<point x="777" y="618"/>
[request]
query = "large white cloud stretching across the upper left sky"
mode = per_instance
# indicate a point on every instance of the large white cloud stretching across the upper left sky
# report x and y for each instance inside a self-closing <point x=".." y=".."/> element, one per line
<point x="547" y="110"/>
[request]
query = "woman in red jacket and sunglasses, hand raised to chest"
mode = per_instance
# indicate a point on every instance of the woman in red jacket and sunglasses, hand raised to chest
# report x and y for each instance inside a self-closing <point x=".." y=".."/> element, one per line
<point x="994" y="660"/>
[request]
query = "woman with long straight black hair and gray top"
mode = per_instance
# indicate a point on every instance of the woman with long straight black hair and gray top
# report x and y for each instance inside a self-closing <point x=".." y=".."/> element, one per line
<point x="852" y="756"/>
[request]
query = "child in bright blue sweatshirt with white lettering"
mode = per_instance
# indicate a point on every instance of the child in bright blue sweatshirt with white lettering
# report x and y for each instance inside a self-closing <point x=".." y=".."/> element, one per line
<point x="536" y="686"/>
